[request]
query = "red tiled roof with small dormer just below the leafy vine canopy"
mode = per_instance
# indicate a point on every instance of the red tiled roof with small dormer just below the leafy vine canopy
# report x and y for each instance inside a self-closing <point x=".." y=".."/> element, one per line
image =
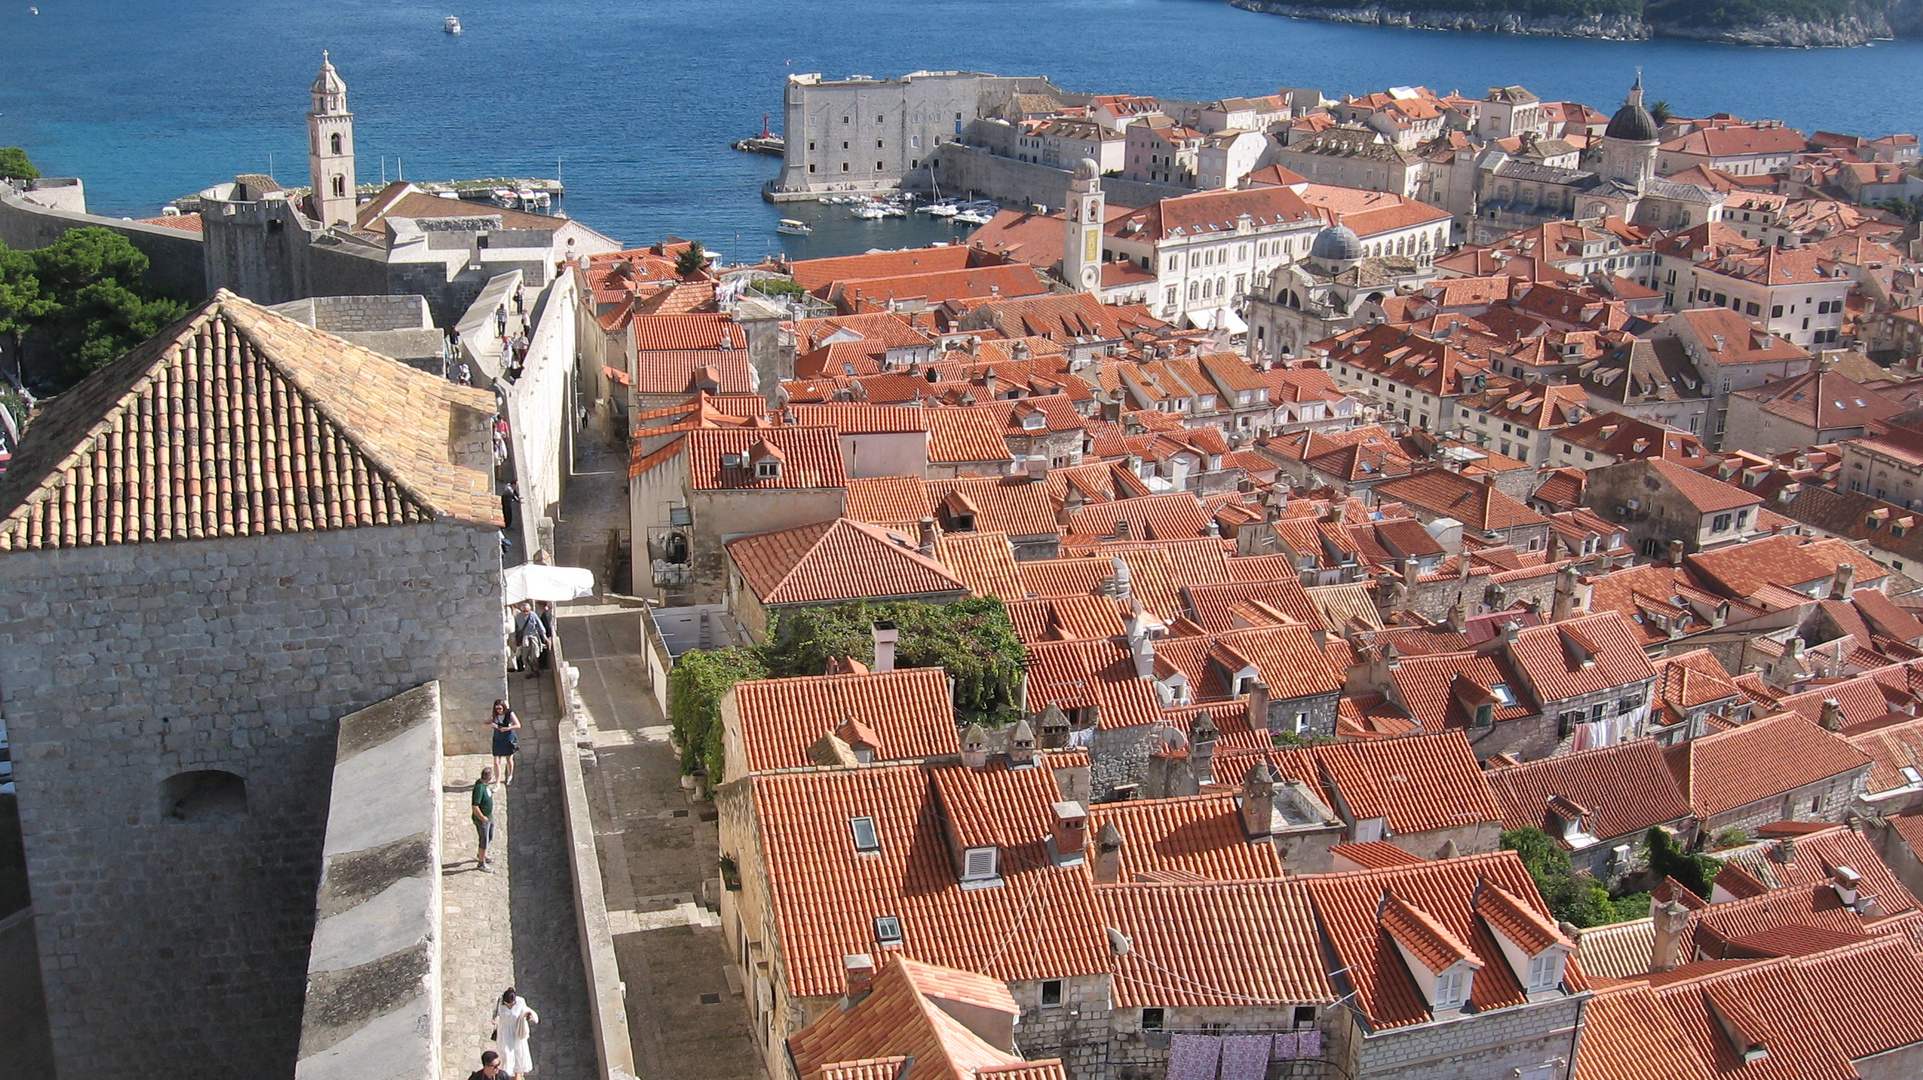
<point x="909" y="714"/>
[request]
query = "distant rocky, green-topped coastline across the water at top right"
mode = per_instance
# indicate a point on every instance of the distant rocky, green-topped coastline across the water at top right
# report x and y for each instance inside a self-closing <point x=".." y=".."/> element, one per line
<point x="1864" y="24"/>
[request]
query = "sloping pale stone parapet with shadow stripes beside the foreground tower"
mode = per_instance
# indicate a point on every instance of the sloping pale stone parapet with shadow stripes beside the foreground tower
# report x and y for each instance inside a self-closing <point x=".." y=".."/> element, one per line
<point x="374" y="970"/>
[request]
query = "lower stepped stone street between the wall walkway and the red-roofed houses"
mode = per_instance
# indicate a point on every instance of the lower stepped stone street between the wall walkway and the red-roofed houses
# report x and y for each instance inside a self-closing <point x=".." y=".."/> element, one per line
<point x="687" y="1019"/>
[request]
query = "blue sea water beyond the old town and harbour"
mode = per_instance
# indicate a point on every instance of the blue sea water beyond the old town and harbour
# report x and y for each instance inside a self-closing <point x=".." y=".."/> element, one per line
<point x="636" y="101"/>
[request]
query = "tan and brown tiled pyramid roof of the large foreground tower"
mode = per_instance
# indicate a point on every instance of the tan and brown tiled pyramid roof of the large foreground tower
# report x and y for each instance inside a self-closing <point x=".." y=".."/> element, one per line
<point x="239" y="422"/>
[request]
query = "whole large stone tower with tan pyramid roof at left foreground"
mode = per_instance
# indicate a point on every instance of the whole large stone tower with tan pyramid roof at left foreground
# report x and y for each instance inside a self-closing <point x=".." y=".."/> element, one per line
<point x="214" y="549"/>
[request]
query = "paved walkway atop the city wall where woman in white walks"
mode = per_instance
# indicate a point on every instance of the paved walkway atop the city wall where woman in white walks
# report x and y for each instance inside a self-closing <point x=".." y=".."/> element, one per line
<point x="514" y="927"/>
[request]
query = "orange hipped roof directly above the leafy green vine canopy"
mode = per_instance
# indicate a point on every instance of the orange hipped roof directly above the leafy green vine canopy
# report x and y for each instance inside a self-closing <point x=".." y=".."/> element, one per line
<point x="837" y="560"/>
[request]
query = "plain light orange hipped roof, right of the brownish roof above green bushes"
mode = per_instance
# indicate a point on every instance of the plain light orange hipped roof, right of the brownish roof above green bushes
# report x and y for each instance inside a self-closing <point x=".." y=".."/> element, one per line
<point x="1757" y="762"/>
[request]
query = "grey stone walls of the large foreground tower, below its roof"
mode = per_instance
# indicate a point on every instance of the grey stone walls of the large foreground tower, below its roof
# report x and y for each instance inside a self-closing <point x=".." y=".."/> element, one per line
<point x="124" y="672"/>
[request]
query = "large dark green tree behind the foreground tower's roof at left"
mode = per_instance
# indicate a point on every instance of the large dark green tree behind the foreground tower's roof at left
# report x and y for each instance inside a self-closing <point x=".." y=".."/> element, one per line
<point x="95" y="305"/>
